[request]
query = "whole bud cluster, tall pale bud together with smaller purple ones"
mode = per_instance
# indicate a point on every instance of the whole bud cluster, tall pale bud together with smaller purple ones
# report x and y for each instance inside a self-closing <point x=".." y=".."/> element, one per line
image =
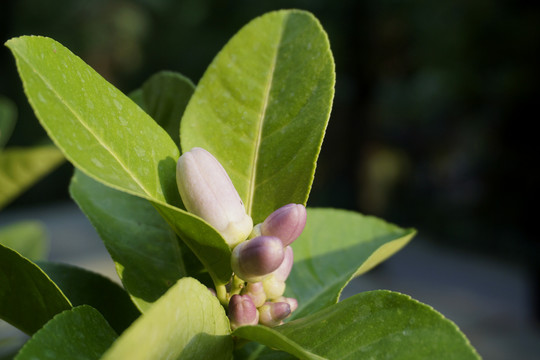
<point x="262" y="263"/>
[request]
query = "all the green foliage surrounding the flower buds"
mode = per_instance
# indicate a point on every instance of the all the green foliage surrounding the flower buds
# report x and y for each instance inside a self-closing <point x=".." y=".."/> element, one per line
<point x="261" y="109"/>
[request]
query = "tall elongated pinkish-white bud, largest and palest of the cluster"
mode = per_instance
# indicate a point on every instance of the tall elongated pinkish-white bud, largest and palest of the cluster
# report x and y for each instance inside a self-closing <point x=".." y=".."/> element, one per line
<point x="208" y="192"/>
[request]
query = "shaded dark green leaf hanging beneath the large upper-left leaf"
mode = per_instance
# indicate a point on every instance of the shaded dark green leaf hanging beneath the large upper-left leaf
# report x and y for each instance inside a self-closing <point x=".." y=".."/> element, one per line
<point x="144" y="248"/>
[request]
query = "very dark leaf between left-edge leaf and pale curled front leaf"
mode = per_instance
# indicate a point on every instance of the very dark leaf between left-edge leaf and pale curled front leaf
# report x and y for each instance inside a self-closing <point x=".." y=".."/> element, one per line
<point x="83" y="287"/>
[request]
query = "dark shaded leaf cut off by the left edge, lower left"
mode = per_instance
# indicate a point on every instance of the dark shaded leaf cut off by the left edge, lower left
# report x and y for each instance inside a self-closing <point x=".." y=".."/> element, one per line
<point x="28" y="297"/>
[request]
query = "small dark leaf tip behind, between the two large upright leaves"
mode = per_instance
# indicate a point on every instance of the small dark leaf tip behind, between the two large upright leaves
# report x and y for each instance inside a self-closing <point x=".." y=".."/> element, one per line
<point x="164" y="96"/>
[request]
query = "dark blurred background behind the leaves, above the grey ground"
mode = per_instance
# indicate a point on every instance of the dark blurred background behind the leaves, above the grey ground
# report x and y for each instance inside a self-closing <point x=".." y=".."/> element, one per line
<point x="433" y="118"/>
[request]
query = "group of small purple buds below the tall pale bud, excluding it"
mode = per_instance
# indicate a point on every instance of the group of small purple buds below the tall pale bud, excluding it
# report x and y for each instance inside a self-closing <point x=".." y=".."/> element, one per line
<point x="261" y="266"/>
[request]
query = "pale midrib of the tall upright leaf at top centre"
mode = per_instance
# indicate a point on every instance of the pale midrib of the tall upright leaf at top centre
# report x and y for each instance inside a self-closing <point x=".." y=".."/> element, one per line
<point x="258" y="140"/>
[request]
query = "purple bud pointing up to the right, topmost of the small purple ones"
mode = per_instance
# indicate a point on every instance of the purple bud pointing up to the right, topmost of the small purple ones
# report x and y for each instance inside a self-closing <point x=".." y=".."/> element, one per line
<point x="287" y="223"/>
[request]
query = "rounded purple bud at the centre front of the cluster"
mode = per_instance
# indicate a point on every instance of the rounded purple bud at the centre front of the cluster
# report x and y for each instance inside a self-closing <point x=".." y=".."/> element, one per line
<point x="252" y="260"/>
